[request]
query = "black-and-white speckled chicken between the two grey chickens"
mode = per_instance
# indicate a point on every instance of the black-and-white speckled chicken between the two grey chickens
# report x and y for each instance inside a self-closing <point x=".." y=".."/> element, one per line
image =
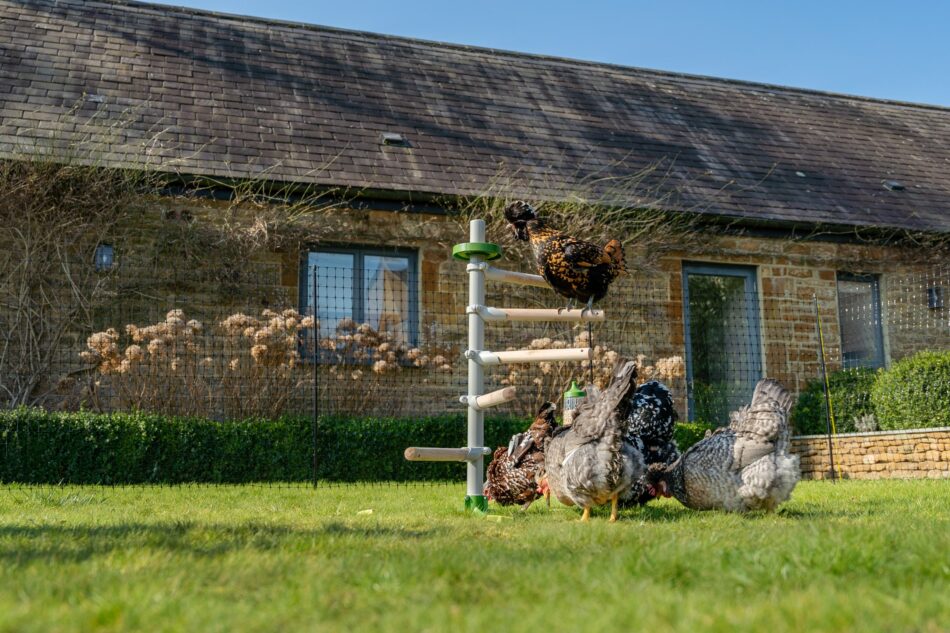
<point x="651" y="421"/>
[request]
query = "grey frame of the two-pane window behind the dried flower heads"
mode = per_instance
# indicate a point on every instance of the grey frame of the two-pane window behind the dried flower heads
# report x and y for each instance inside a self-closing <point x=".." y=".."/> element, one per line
<point x="359" y="252"/>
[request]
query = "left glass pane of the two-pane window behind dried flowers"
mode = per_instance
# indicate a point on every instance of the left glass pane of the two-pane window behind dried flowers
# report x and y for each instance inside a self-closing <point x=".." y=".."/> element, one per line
<point x="334" y="288"/>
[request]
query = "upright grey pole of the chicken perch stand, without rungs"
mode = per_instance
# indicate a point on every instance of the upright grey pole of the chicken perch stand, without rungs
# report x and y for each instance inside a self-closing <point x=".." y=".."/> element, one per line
<point x="475" y="489"/>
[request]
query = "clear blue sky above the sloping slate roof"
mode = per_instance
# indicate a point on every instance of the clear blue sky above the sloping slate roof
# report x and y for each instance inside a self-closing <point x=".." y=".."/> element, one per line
<point x="890" y="50"/>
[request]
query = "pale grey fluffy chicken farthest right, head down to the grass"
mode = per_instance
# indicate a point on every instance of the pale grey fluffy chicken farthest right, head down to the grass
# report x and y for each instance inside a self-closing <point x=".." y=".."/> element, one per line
<point x="745" y="466"/>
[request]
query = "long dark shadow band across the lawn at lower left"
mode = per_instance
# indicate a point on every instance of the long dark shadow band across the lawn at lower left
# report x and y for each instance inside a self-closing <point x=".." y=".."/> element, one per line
<point x="56" y="543"/>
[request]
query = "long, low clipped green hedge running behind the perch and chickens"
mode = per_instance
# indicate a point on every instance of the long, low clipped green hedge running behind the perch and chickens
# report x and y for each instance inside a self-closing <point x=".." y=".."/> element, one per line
<point x="132" y="448"/>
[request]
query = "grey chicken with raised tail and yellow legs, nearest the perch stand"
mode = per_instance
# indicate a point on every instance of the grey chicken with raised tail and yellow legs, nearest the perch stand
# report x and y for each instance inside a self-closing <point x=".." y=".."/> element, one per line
<point x="591" y="462"/>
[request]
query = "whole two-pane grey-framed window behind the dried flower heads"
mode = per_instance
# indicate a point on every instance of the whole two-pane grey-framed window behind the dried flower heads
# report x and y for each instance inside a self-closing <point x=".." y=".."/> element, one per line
<point x="365" y="285"/>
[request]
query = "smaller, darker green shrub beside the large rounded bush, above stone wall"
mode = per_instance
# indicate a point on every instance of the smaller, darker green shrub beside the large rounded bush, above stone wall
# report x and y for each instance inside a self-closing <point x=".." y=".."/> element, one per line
<point x="850" y="399"/>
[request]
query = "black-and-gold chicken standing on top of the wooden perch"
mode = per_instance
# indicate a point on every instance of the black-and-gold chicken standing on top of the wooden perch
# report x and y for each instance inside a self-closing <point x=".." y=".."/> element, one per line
<point x="576" y="269"/>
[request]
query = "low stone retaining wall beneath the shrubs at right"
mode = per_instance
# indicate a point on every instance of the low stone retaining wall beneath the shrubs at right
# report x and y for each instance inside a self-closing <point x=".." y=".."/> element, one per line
<point x="913" y="454"/>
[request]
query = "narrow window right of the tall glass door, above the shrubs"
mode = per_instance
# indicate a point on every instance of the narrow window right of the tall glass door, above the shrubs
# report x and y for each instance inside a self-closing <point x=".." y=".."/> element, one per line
<point x="859" y="315"/>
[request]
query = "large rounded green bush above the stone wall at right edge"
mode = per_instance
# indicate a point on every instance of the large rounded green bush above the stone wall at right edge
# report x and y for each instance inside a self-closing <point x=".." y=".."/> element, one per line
<point x="914" y="393"/>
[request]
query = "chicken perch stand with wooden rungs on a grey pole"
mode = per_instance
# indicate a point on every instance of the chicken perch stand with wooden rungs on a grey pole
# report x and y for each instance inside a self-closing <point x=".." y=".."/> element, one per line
<point x="477" y="252"/>
